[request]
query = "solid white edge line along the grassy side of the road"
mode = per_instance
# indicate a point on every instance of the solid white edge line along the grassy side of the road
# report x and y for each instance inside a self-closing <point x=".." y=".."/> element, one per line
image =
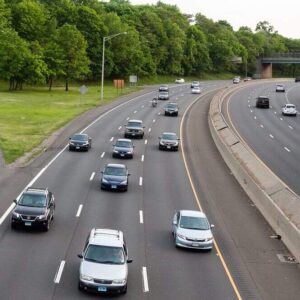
<point x="11" y="207"/>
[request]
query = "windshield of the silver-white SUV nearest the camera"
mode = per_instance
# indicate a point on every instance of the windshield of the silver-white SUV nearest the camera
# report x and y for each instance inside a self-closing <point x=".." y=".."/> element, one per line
<point x="105" y="254"/>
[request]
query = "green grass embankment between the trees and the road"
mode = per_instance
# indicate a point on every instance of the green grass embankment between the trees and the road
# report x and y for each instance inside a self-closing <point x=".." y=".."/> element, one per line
<point x="27" y="117"/>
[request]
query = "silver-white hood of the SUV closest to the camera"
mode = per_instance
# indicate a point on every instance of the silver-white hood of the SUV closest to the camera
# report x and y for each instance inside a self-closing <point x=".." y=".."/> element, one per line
<point x="103" y="271"/>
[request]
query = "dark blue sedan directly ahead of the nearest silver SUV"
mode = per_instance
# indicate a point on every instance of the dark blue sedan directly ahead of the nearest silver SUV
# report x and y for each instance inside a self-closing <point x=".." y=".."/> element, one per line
<point x="115" y="177"/>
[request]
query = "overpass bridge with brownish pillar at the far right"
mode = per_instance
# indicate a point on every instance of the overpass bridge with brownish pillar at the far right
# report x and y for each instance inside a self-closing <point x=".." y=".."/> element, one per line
<point x="265" y="63"/>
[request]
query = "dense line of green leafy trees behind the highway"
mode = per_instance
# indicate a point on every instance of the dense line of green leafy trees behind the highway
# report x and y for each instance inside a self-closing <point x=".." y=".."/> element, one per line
<point x="45" y="40"/>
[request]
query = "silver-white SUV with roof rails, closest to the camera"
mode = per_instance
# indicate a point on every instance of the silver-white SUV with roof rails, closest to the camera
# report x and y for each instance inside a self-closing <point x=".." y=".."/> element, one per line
<point x="104" y="259"/>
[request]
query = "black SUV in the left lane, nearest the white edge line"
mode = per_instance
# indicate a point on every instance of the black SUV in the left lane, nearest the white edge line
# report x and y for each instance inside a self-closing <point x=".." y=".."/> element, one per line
<point x="35" y="208"/>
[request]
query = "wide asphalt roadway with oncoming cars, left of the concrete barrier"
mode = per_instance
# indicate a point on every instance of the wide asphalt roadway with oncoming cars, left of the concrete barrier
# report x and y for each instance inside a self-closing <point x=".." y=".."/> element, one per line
<point x="37" y="265"/>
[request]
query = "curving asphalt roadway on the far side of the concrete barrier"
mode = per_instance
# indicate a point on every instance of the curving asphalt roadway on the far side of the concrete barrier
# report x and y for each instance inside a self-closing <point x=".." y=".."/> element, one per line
<point x="273" y="137"/>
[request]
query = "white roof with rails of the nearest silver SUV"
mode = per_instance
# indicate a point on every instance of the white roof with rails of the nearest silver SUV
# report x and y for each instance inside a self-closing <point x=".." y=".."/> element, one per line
<point x="106" y="237"/>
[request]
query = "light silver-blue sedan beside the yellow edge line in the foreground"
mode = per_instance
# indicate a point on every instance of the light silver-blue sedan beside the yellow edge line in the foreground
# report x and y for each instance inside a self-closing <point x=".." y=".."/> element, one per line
<point x="191" y="229"/>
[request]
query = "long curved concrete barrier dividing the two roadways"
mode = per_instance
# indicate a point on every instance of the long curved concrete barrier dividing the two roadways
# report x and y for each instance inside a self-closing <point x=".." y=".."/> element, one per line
<point x="277" y="203"/>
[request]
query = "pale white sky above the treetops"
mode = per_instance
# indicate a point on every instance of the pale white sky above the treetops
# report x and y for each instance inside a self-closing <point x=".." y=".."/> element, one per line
<point x="284" y="16"/>
